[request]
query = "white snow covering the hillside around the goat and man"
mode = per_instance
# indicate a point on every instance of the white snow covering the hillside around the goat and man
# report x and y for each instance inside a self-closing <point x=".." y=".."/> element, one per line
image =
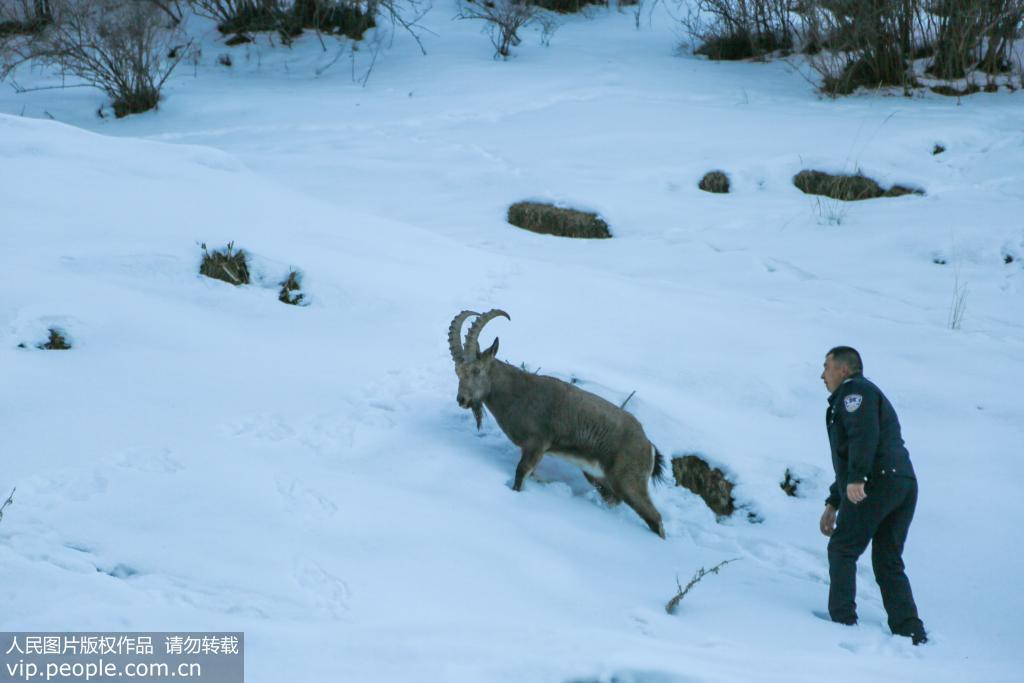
<point x="206" y="458"/>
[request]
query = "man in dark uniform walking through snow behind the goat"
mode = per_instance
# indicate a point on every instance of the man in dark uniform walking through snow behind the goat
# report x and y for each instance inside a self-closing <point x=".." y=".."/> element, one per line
<point x="874" y="495"/>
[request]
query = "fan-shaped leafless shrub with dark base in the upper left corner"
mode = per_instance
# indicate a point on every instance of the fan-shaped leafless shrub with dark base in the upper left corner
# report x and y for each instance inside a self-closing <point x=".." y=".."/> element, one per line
<point x="127" y="50"/>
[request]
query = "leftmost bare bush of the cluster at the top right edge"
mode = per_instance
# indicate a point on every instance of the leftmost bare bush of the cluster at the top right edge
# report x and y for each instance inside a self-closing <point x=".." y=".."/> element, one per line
<point x="740" y="29"/>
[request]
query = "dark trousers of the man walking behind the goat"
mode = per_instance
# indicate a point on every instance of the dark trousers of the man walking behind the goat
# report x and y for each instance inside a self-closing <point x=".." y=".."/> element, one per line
<point x="882" y="520"/>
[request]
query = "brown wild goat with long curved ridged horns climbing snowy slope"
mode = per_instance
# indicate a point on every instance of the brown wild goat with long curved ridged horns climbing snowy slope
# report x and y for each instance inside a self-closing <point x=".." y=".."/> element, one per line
<point x="545" y="415"/>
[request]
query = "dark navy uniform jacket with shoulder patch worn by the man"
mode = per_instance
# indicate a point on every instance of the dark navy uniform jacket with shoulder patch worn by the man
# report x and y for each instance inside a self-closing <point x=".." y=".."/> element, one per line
<point x="865" y="436"/>
